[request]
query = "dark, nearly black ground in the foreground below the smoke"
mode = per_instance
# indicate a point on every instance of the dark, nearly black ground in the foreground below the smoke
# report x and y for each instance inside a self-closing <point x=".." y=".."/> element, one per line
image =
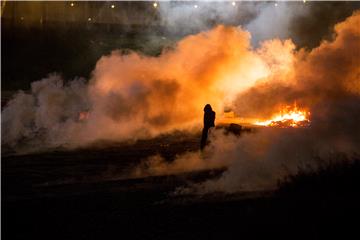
<point x="79" y="194"/>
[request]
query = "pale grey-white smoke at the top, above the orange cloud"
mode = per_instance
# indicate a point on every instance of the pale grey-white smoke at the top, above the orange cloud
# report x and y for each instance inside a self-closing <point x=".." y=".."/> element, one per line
<point x="265" y="20"/>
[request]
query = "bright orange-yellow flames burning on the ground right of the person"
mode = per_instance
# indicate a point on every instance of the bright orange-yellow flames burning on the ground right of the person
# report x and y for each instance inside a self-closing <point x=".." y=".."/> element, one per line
<point x="290" y="116"/>
